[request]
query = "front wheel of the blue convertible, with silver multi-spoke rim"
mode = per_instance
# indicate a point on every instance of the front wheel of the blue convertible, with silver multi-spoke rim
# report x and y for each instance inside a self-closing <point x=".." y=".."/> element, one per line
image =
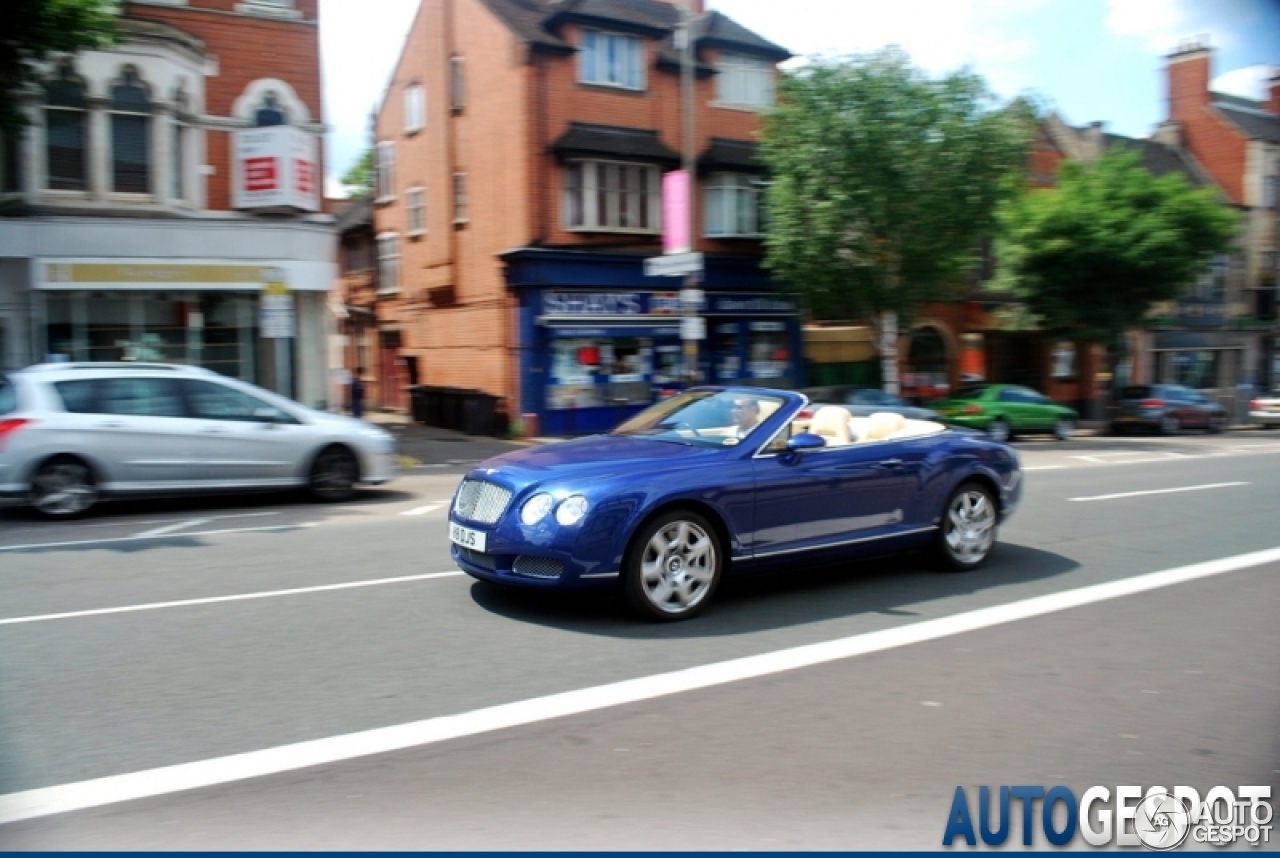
<point x="674" y="567"/>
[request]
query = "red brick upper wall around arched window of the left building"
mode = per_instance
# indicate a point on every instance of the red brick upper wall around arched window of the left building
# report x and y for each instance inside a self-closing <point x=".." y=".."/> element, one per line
<point x="248" y="48"/>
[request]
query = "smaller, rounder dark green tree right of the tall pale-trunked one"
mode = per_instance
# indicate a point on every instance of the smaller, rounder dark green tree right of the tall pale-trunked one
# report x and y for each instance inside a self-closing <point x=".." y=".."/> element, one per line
<point x="1092" y="254"/>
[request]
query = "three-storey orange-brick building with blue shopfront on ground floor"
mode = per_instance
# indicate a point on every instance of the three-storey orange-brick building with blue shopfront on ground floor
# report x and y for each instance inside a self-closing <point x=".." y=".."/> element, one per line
<point x="520" y="152"/>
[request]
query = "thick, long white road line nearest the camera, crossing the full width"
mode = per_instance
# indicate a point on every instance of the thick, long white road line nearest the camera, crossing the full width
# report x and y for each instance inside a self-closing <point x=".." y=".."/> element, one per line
<point x="272" y="761"/>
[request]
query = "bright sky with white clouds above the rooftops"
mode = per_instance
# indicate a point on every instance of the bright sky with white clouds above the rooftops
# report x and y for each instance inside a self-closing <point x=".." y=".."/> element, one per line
<point x="1092" y="61"/>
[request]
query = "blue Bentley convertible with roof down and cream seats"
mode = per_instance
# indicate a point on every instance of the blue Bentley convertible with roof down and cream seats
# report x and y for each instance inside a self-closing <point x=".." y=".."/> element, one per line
<point x="719" y="481"/>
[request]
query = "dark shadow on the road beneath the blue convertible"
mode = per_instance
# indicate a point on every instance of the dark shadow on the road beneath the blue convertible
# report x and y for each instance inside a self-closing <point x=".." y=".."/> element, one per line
<point x="802" y="596"/>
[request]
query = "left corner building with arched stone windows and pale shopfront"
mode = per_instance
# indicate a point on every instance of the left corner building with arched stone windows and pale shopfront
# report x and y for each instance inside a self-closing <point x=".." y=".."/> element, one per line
<point x="163" y="186"/>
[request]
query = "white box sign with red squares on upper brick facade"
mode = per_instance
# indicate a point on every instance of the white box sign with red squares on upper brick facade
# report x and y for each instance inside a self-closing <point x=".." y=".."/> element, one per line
<point x="275" y="167"/>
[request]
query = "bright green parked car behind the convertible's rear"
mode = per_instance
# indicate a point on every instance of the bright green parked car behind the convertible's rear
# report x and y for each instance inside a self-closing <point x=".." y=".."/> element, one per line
<point x="1007" y="410"/>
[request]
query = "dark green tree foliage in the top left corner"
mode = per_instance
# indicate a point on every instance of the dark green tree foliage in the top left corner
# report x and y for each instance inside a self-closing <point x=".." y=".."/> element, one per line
<point x="33" y="30"/>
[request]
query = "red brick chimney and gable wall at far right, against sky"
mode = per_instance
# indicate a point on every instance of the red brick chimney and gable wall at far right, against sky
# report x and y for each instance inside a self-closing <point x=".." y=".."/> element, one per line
<point x="1210" y="139"/>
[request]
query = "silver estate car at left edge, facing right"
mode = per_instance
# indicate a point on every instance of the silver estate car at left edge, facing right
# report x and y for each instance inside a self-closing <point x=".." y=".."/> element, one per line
<point x="75" y="433"/>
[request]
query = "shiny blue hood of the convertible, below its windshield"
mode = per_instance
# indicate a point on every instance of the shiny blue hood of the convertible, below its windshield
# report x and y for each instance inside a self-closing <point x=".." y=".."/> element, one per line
<point x="596" y="458"/>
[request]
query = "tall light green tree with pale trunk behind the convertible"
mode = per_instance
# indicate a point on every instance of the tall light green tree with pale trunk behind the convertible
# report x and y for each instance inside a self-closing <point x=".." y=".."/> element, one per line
<point x="884" y="184"/>
